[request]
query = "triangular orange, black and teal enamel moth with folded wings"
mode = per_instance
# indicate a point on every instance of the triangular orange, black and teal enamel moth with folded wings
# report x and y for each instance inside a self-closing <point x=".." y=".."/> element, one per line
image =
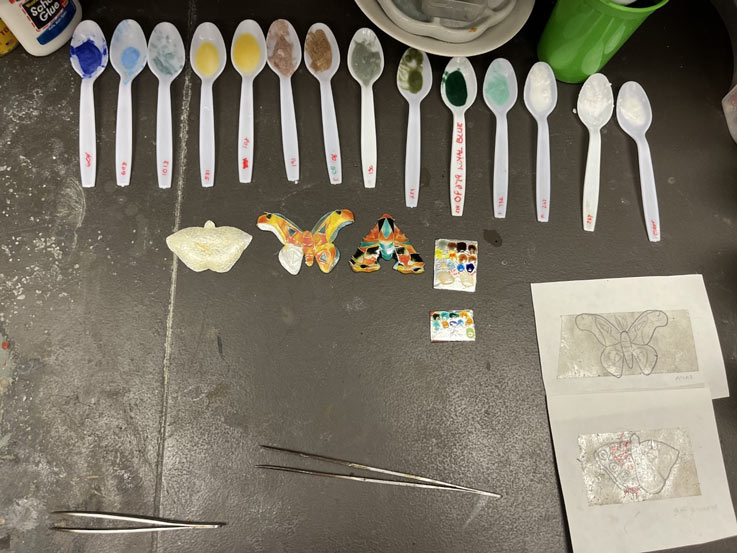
<point x="387" y="241"/>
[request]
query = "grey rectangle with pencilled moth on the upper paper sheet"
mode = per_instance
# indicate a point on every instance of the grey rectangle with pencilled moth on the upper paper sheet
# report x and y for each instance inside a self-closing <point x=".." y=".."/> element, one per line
<point x="626" y="344"/>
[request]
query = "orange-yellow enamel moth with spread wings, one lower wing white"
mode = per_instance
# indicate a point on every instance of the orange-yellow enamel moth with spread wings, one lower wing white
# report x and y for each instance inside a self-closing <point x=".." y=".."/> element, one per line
<point x="316" y="244"/>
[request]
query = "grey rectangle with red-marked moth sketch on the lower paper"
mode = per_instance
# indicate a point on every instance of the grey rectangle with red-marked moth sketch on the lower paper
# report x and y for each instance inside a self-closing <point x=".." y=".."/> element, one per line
<point x="626" y="467"/>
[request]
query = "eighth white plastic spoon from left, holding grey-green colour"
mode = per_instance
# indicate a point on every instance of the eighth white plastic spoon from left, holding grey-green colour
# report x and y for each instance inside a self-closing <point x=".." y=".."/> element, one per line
<point x="366" y="63"/>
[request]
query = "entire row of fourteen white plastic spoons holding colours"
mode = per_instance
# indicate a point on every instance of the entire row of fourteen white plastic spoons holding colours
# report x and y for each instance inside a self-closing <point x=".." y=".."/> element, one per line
<point x="249" y="53"/>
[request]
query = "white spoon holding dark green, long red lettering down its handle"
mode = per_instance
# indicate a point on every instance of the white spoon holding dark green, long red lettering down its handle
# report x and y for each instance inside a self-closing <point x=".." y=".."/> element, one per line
<point x="458" y="90"/>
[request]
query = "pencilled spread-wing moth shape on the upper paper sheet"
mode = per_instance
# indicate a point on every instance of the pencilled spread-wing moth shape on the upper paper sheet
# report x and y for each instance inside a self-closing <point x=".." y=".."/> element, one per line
<point x="625" y="346"/>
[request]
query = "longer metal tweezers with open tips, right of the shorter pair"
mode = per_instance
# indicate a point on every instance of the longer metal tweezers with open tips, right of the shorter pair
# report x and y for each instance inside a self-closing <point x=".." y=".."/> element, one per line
<point x="416" y="481"/>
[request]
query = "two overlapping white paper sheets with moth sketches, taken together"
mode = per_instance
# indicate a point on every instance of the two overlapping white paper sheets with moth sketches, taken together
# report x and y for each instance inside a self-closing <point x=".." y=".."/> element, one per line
<point x="630" y="369"/>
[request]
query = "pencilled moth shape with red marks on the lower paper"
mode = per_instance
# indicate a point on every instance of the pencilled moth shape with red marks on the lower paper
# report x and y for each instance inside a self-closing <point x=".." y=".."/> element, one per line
<point x="637" y="466"/>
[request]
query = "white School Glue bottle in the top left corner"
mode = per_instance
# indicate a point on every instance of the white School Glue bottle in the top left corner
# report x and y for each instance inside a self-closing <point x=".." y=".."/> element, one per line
<point x="41" y="26"/>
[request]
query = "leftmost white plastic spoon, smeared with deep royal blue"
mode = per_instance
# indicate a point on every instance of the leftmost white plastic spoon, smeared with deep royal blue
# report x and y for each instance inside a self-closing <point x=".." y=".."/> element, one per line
<point x="88" y="54"/>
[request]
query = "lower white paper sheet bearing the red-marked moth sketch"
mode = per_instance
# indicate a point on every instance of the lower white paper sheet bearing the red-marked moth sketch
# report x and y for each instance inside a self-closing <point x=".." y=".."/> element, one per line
<point x="641" y="471"/>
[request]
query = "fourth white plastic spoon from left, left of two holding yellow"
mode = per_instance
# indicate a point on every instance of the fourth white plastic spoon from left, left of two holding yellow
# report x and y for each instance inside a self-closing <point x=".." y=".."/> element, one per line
<point x="207" y="56"/>
